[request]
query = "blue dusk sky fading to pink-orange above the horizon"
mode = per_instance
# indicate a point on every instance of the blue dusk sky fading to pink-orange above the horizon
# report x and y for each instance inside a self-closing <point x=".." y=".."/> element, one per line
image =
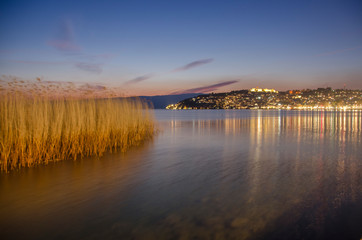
<point x="164" y="47"/>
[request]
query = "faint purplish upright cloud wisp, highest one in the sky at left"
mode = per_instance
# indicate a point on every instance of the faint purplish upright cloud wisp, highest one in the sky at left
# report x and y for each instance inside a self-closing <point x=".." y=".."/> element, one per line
<point x="64" y="40"/>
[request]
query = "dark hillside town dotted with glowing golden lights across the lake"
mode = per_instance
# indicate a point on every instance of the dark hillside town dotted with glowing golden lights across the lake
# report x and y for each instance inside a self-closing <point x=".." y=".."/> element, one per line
<point x="258" y="98"/>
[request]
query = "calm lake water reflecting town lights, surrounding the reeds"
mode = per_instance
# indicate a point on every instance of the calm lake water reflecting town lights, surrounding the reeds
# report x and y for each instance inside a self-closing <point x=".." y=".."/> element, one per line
<point x="219" y="174"/>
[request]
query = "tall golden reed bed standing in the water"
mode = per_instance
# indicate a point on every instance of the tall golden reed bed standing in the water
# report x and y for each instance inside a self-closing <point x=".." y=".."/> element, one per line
<point x="40" y="130"/>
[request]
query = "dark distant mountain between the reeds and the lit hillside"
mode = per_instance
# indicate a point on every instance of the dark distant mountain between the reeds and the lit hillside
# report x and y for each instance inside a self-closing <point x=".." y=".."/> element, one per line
<point x="161" y="101"/>
